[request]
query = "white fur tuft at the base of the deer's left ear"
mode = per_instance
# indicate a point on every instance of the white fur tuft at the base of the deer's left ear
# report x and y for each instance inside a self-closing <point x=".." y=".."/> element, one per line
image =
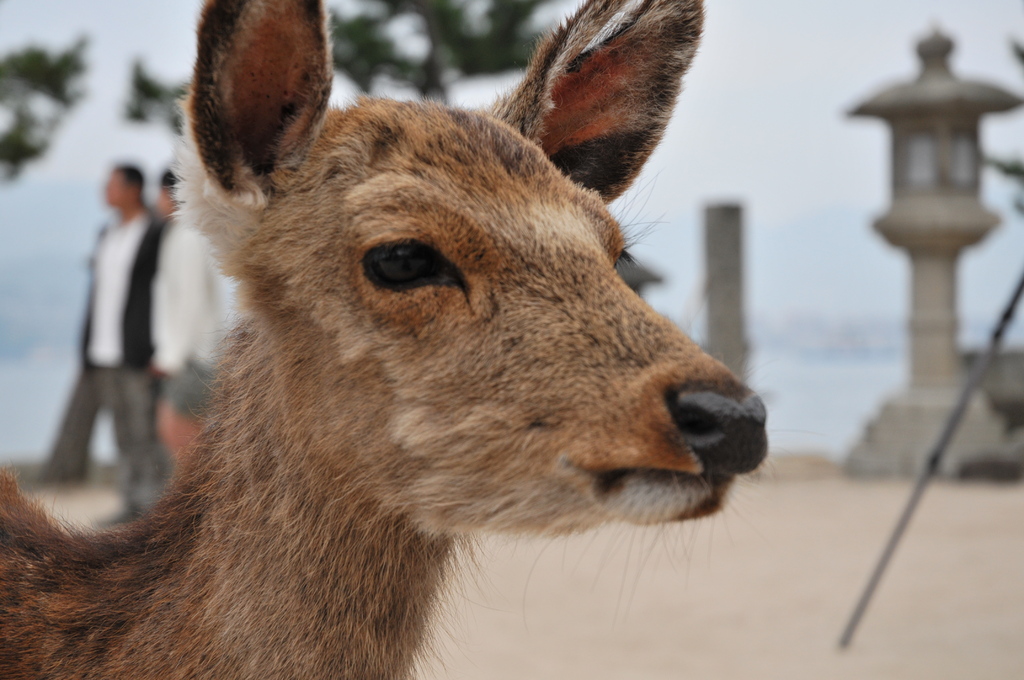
<point x="228" y="219"/>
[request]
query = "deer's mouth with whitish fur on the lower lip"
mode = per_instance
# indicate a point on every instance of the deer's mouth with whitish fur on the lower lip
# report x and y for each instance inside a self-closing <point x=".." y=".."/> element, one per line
<point x="647" y="496"/>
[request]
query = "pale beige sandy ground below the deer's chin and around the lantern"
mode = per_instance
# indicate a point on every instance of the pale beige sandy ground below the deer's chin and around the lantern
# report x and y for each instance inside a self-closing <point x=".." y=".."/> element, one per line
<point x="760" y="591"/>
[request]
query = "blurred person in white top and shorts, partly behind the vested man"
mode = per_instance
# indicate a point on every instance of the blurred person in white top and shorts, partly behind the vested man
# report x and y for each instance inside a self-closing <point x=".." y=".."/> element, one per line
<point x="188" y="325"/>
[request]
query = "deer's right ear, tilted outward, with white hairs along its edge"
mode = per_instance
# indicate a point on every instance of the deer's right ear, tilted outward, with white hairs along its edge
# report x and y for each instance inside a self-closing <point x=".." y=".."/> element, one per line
<point x="601" y="90"/>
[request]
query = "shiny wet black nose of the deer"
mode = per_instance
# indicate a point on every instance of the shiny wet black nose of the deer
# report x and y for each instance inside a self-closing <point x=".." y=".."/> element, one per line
<point x="729" y="437"/>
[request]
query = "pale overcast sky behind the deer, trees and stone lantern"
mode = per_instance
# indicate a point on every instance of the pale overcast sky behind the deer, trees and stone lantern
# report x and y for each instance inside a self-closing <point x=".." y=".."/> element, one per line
<point x="762" y="120"/>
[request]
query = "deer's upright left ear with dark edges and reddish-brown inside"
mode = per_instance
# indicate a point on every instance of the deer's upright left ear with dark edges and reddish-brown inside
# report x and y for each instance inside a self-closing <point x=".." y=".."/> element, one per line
<point x="261" y="89"/>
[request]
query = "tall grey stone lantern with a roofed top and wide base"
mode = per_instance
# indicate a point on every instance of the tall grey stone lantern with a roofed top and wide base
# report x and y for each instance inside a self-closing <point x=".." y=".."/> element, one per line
<point x="935" y="214"/>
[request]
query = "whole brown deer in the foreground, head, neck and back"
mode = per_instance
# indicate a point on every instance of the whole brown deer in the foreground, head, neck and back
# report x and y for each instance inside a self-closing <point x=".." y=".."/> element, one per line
<point x="435" y="346"/>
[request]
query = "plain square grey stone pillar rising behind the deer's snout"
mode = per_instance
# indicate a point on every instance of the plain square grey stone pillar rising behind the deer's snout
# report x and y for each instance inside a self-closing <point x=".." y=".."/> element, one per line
<point x="724" y="264"/>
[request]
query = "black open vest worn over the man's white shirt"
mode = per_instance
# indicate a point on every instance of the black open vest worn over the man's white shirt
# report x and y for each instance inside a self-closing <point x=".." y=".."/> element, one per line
<point x="138" y="325"/>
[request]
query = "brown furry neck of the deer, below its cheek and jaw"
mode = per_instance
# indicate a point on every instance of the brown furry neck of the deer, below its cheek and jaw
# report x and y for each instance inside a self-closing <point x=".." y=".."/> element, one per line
<point x="305" y="565"/>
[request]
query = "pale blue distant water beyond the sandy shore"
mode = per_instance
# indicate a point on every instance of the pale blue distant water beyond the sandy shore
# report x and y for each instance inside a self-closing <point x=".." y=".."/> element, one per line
<point x="817" y="402"/>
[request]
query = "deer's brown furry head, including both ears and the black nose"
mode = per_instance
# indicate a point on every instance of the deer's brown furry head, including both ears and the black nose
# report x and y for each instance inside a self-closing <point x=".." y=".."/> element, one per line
<point x="436" y="289"/>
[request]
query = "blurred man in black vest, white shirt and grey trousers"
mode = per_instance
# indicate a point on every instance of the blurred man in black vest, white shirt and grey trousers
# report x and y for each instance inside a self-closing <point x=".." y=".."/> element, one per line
<point x="117" y="345"/>
